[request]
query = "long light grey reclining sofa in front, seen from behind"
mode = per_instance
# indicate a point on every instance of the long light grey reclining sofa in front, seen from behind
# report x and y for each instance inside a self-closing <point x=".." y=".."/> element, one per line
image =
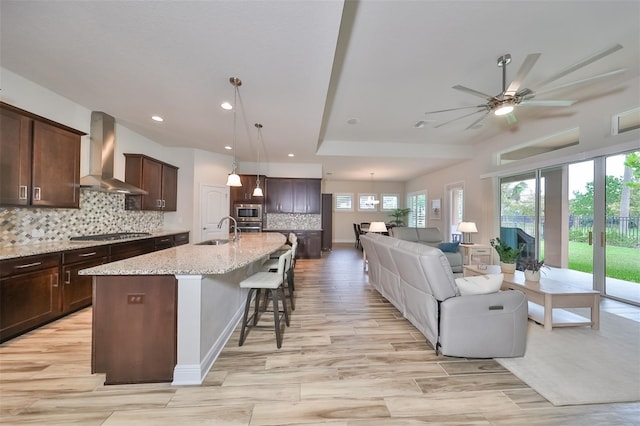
<point x="418" y="281"/>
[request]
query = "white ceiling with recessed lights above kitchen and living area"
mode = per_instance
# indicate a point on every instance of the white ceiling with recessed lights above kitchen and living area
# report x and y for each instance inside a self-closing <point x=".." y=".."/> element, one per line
<point x="308" y="67"/>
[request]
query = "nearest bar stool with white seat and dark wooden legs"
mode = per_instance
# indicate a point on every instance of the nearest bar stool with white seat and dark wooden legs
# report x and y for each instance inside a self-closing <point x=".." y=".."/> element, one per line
<point x="272" y="283"/>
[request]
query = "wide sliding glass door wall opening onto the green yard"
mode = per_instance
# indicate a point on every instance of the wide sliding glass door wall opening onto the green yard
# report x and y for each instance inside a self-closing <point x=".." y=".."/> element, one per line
<point x="582" y="216"/>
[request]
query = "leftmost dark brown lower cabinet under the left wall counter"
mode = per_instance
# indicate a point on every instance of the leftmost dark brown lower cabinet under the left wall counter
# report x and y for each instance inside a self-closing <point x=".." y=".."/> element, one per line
<point x="29" y="293"/>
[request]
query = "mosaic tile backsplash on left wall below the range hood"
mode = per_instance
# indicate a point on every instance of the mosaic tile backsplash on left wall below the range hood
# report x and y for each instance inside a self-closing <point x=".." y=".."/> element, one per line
<point x="99" y="213"/>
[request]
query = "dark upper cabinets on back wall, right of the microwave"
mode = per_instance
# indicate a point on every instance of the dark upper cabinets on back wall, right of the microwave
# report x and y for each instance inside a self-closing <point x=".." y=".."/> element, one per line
<point x="293" y="195"/>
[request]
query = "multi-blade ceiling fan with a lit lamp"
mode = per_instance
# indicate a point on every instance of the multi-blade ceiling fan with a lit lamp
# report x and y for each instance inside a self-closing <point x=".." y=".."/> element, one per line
<point x="513" y="95"/>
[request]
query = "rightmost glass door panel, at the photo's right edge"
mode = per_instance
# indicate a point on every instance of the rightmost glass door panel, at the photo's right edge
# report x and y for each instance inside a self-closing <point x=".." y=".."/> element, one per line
<point x="620" y="238"/>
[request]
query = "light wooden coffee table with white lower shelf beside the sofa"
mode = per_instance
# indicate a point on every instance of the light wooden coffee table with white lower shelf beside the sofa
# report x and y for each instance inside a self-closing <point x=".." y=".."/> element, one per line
<point x="547" y="297"/>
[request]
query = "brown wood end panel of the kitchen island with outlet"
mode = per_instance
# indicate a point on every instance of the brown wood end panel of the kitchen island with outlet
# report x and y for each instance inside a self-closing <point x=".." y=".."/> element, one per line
<point x="135" y="328"/>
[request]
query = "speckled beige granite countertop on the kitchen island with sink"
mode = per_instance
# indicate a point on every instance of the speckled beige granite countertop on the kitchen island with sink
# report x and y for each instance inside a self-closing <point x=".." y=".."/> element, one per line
<point x="193" y="259"/>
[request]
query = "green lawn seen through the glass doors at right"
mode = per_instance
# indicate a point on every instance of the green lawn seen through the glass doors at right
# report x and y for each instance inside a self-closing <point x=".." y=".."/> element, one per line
<point x="622" y="262"/>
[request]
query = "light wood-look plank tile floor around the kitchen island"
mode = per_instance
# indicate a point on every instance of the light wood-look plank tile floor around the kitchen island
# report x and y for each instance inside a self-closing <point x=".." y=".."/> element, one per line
<point x="348" y="359"/>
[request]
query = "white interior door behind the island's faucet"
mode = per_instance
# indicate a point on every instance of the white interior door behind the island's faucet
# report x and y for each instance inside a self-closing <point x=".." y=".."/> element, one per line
<point x="214" y="205"/>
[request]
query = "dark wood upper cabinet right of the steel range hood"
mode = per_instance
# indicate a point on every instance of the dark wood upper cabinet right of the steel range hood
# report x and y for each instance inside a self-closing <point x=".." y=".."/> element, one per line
<point x="159" y="179"/>
